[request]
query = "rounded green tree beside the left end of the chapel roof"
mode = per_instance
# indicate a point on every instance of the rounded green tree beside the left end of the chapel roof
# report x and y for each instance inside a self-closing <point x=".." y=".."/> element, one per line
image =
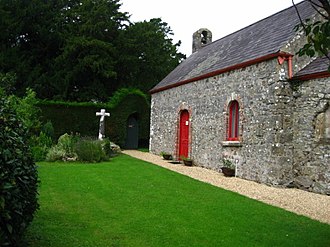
<point x="147" y="54"/>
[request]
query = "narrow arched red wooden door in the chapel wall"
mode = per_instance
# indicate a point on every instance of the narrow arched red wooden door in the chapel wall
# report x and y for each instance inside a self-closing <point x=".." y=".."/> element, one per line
<point x="184" y="134"/>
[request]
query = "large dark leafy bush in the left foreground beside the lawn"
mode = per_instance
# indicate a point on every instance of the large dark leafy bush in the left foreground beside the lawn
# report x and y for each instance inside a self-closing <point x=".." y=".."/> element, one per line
<point x="18" y="178"/>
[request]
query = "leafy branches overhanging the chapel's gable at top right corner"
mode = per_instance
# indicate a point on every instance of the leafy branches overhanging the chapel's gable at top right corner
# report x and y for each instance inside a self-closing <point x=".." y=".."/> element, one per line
<point x="317" y="33"/>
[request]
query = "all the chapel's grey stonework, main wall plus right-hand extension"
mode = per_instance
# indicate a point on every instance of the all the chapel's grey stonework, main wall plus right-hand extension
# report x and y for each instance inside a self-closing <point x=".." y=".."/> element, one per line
<point x="277" y="125"/>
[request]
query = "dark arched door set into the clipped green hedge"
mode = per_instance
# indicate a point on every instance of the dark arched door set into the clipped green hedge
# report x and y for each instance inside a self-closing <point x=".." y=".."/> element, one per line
<point x="132" y="134"/>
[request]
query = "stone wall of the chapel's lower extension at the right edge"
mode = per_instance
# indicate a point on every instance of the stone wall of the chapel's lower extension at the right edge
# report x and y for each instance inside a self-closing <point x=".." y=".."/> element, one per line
<point x="312" y="136"/>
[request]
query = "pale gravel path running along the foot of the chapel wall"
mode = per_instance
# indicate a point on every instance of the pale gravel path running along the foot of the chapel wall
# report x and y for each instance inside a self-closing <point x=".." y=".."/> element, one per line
<point x="301" y="202"/>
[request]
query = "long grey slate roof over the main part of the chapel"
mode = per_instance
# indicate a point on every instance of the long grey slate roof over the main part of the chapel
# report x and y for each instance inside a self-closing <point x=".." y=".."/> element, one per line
<point x="260" y="39"/>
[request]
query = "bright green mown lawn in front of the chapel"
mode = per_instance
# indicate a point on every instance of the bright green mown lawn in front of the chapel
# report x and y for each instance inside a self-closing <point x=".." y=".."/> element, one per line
<point x="128" y="202"/>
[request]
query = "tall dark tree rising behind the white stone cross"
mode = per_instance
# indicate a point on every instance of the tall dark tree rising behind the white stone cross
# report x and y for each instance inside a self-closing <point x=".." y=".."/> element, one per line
<point x="85" y="69"/>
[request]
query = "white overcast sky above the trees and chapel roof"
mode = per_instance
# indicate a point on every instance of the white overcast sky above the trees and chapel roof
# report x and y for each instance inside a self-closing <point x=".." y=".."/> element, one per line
<point x="185" y="17"/>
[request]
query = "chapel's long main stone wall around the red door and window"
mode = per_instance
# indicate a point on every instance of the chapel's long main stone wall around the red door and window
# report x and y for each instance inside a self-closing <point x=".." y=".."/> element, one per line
<point x="265" y="150"/>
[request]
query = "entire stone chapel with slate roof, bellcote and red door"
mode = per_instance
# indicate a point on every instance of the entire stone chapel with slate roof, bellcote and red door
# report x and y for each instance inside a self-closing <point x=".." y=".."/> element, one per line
<point x="248" y="98"/>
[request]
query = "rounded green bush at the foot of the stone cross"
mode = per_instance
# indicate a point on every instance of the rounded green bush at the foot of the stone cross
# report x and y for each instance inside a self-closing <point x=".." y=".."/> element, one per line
<point x="89" y="150"/>
